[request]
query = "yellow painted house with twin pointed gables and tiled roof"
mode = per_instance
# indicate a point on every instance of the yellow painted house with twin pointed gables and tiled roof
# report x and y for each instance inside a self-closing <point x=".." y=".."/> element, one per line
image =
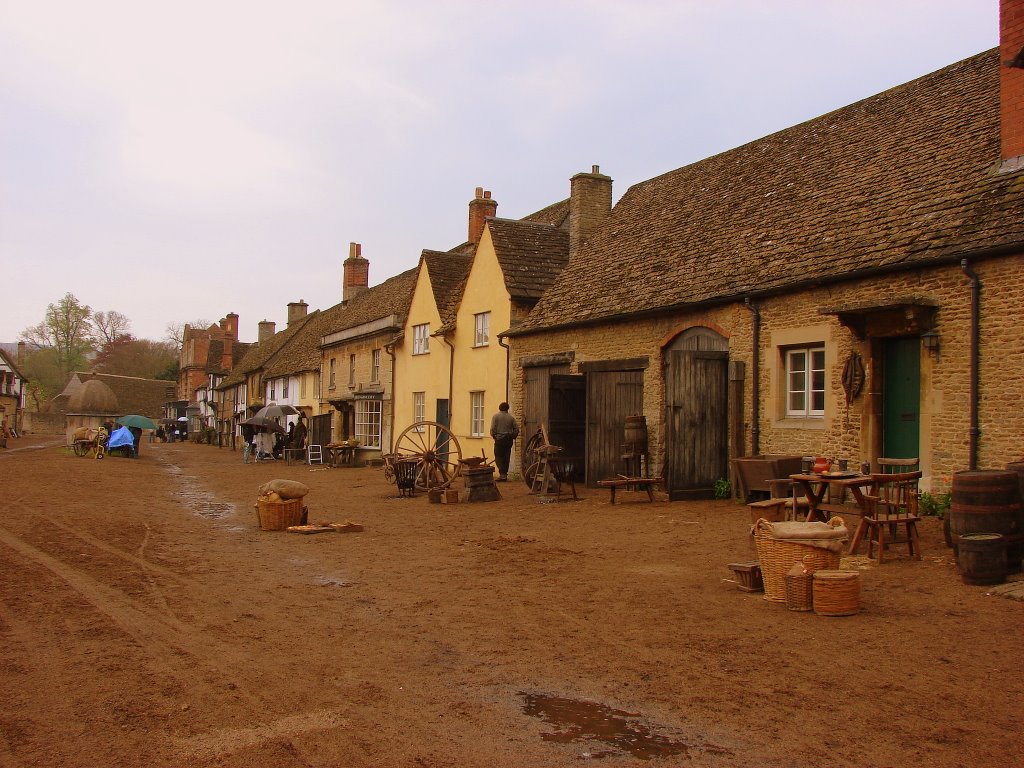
<point x="451" y="366"/>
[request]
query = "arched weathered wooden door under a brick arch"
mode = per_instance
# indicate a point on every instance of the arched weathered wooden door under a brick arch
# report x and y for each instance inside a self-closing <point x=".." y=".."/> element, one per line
<point x="697" y="387"/>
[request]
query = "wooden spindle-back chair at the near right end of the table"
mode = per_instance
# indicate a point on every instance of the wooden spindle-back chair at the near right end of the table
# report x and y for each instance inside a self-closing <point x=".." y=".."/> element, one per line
<point x="892" y="504"/>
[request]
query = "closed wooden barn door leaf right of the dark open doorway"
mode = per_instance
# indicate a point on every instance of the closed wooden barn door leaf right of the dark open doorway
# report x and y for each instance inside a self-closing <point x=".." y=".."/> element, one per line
<point x="612" y="396"/>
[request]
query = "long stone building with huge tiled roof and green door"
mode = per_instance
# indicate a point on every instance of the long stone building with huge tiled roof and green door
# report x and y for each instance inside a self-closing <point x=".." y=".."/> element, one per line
<point x="849" y="287"/>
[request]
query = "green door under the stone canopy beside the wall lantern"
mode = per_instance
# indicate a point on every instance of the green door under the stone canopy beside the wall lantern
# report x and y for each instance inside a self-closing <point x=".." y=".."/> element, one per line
<point x="902" y="399"/>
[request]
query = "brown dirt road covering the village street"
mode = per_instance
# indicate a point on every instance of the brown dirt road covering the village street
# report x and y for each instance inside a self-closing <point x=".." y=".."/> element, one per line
<point x="147" y="622"/>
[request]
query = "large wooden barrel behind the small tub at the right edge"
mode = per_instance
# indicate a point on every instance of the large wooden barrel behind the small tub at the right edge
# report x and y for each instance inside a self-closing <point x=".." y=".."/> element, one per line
<point x="988" y="502"/>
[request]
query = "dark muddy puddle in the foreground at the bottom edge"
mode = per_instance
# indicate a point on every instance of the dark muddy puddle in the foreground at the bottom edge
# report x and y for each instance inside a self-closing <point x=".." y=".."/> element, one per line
<point x="588" y="721"/>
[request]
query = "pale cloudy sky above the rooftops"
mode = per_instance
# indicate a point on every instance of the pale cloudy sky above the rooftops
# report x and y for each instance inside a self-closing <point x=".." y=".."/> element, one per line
<point x="177" y="162"/>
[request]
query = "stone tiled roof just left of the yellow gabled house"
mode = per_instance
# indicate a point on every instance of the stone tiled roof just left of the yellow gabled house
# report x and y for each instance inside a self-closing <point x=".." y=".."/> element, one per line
<point x="391" y="297"/>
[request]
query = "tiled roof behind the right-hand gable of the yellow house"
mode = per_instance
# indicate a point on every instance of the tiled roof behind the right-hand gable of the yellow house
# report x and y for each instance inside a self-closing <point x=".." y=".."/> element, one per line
<point x="531" y="255"/>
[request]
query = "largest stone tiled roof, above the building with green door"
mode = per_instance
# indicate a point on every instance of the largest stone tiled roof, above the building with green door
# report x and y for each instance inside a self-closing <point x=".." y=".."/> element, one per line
<point x="903" y="179"/>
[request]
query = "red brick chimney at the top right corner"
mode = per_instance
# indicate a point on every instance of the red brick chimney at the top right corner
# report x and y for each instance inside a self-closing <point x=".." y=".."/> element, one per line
<point x="1012" y="83"/>
